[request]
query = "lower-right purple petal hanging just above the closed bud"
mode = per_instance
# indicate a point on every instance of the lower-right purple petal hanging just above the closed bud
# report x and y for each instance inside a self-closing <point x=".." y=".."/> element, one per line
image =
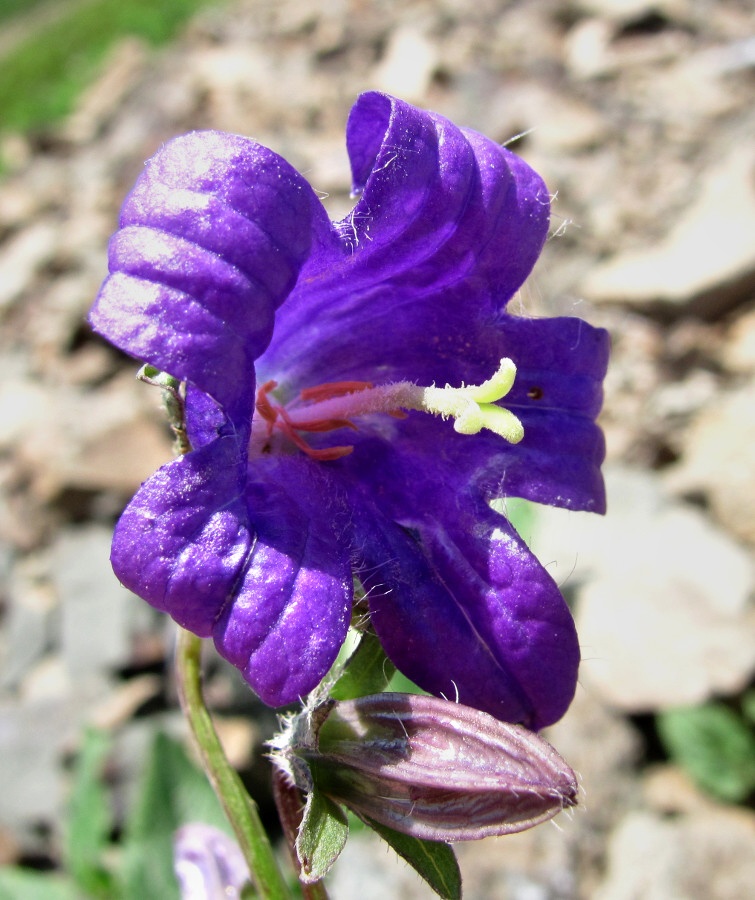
<point x="469" y="613"/>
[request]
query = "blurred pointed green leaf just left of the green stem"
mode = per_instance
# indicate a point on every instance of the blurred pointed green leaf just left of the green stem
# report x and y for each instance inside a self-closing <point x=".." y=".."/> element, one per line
<point x="173" y="791"/>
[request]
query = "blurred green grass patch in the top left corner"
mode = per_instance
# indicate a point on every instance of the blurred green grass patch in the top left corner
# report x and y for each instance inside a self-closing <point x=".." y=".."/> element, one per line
<point x="43" y="73"/>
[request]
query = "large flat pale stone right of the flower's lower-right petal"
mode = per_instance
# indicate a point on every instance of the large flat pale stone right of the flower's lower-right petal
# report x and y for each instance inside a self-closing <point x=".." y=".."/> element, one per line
<point x="673" y="624"/>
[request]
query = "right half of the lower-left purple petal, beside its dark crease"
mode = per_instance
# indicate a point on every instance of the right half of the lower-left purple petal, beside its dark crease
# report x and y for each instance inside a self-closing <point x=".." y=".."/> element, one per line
<point x="290" y="609"/>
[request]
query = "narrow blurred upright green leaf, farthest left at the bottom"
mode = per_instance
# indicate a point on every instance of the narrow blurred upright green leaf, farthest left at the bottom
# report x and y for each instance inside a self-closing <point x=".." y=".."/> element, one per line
<point x="89" y="819"/>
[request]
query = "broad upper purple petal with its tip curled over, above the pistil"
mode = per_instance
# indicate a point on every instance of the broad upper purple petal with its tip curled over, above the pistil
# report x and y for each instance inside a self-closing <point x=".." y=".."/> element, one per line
<point x="447" y="227"/>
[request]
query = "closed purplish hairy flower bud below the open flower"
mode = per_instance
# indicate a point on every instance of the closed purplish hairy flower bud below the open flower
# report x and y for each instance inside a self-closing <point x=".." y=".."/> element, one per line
<point x="435" y="769"/>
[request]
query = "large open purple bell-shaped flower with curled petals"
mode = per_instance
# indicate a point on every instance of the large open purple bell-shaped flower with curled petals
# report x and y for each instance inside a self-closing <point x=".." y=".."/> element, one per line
<point x="228" y="274"/>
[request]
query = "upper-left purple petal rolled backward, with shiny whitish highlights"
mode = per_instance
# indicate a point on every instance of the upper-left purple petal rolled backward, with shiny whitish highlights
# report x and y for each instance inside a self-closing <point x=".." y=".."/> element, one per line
<point x="212" y="239"/>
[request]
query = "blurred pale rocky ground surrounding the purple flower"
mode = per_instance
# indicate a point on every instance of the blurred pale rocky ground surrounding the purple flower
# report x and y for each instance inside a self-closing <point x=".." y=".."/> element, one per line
<point x="639" y="115"/>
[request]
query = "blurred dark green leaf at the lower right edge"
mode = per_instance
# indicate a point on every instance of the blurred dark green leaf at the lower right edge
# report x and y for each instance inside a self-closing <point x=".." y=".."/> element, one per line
<point x="715" y="746"/>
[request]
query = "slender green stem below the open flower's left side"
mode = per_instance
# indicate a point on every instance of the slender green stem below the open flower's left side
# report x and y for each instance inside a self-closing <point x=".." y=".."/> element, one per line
<point x="238" y="805"/>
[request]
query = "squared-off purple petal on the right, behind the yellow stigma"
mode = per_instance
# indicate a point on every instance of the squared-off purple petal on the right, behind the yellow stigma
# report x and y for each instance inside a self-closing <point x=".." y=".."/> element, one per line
<point x="557" y="393"/>
